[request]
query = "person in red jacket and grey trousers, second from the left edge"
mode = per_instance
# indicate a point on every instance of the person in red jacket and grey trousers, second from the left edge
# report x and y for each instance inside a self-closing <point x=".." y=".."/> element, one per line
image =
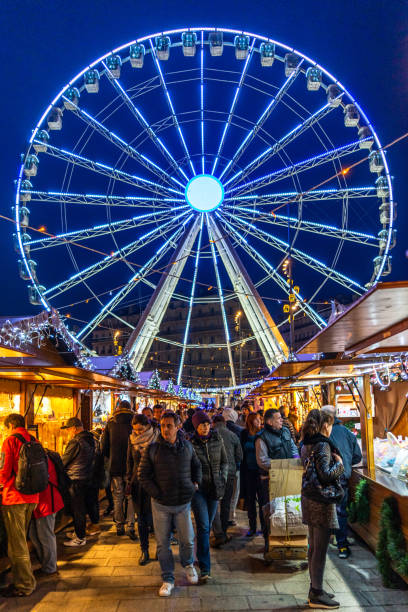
<point x="41" y="530"/>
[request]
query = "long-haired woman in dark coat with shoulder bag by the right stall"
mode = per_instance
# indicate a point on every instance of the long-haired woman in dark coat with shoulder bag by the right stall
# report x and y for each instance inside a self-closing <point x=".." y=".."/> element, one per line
<point x="320" y="518"/>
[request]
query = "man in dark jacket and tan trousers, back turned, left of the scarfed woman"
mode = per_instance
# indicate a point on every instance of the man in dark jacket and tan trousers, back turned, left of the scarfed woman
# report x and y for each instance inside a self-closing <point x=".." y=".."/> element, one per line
<point x="114" y="445"/>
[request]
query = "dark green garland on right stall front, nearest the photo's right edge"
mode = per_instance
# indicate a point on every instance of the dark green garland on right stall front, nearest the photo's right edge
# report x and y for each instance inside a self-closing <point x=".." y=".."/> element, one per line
<point x="391" y="547"/>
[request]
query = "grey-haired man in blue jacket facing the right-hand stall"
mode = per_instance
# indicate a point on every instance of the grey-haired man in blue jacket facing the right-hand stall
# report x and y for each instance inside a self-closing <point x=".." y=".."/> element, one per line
<point x="346" y="442"/>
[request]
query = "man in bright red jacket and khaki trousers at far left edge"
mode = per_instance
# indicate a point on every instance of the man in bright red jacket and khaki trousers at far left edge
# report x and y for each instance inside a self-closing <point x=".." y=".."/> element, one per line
<point x="17" y="509"/>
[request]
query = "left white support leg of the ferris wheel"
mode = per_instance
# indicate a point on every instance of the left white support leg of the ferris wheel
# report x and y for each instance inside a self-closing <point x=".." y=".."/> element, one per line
<point x="141" y="339"/>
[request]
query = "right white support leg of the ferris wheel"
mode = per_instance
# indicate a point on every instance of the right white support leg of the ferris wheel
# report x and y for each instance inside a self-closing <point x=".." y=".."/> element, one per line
<point x="268" y="336"/>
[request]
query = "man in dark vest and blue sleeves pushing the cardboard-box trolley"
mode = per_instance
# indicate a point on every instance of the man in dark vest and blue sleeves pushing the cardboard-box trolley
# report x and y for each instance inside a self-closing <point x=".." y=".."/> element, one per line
<point x="273" y="442"/>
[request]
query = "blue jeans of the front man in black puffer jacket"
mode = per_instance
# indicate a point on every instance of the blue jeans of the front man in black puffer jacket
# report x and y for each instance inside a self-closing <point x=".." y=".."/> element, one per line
<point x="163" y="517"/>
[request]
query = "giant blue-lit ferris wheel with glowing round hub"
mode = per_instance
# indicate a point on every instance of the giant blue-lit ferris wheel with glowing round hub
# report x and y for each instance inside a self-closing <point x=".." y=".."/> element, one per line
<point x="195" y="164"/>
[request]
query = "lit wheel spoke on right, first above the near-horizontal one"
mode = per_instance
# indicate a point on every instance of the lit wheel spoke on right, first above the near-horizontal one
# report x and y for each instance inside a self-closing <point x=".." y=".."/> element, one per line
<point x="295" y="169"/>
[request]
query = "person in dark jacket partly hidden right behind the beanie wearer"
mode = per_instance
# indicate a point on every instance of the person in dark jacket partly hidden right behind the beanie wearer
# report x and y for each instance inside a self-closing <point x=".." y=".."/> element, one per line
<point x="234" y="454"/>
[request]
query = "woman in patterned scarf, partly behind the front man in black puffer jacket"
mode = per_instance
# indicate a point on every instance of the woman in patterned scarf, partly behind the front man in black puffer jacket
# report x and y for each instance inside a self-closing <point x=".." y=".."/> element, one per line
<point x="143" y="434"/>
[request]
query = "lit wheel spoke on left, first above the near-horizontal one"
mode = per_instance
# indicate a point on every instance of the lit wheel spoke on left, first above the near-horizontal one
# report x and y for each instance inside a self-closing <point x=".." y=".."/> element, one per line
<point x="106" y="170"/>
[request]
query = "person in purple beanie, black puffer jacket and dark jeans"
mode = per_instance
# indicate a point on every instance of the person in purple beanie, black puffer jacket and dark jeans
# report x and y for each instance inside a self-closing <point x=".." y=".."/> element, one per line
<point x="211" y="453"/>
